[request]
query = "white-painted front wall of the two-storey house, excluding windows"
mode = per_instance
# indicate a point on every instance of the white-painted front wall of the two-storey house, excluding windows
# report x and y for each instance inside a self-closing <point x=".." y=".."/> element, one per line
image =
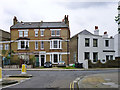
<point x="91" y="49"/>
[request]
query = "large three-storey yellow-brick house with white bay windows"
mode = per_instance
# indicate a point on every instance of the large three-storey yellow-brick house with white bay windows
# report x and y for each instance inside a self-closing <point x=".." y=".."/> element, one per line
<point x="47" y="41"/>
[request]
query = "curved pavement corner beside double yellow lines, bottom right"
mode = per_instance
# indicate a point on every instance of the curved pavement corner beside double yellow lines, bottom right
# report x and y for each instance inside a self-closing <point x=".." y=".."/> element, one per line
<point x="106" y="80"/>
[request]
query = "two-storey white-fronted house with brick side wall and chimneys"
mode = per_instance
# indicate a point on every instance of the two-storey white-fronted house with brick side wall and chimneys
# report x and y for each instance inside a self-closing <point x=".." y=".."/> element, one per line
<point x="92" y="47"/>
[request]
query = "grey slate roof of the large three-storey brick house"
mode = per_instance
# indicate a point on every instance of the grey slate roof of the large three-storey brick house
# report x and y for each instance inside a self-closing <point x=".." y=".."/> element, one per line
<point x="27" y="25"/>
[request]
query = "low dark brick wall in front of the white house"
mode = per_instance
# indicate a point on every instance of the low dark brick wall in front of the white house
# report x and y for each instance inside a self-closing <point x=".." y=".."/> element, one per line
<point x="107" y="64"/>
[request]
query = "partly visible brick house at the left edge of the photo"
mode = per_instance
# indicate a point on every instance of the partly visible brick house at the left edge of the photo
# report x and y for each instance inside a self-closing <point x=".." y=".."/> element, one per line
<point x="4" y="44"/>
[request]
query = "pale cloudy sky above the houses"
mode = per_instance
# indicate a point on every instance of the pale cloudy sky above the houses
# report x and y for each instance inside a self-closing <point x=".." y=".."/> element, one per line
<point x="83" y="14"/>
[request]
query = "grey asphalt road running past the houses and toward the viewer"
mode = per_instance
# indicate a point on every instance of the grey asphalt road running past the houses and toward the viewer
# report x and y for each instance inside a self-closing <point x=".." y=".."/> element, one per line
<point x="53" y="79"/>
